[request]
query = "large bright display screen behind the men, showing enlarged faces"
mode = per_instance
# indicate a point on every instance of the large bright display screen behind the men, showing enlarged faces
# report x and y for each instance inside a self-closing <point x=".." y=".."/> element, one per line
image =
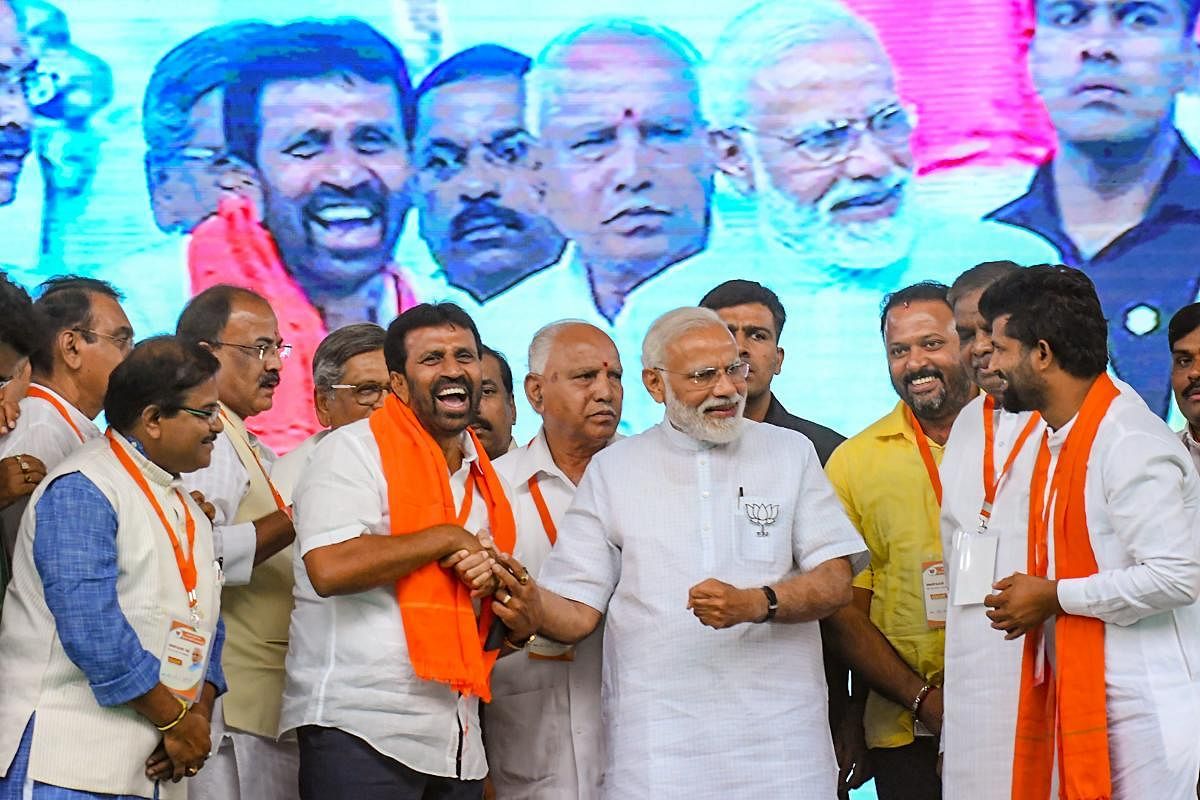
<point x="604" y="161"/>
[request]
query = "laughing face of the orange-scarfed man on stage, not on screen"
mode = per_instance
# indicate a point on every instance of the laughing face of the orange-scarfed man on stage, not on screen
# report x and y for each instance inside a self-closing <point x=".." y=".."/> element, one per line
<point x="442" y="378"/>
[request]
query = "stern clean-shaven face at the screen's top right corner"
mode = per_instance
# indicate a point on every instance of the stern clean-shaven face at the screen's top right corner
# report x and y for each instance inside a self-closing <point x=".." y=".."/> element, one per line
<point x="1111" y="70"/>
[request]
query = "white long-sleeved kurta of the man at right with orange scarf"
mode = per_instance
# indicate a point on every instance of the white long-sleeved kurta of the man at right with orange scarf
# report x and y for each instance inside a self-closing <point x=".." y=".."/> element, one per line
<point x="1143" y="504"/>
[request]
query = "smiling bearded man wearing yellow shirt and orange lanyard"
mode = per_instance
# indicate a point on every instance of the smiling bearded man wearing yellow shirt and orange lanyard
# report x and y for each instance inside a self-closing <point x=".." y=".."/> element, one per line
<point x="887" y="478"/>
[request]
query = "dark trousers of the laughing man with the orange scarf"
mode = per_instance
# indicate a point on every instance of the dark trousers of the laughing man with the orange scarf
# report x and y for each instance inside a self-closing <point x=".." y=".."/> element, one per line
<point x="337" y="766"/>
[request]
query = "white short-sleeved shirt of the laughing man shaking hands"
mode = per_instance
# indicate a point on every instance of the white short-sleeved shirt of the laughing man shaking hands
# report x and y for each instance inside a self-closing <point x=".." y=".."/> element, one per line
<point x="349" y="665"/>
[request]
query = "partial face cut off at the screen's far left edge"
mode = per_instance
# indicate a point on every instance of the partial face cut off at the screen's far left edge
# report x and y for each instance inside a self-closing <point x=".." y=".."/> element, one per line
<point x="16" y="118"/>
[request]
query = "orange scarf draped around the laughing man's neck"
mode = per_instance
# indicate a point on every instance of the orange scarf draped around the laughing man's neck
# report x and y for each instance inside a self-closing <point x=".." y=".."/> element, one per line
<point x="446" y="641"/>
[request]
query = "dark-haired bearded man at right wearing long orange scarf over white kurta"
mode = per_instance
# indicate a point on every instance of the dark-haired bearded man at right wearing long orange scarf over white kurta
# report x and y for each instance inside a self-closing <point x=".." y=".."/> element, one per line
<point x="1109" y="696"/>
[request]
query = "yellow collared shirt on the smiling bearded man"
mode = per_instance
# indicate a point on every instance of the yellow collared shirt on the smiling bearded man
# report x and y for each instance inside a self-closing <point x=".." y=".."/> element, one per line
<point x="886" y="490"/>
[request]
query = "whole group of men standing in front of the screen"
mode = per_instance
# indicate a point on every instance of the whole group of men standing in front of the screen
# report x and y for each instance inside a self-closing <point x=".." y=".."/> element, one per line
<point x="415" y="605"/>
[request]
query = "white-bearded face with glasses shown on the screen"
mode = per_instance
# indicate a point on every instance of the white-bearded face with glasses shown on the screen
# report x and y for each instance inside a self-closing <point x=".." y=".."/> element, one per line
<point x="827" y="142"/>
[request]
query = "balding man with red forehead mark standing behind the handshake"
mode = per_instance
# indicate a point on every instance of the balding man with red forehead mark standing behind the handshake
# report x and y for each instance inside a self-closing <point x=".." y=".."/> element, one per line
<point x="574" y="384"/>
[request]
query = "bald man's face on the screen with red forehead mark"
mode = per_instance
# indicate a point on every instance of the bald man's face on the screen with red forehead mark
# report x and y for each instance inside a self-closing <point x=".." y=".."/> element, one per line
<point x="628" y="164"/>
